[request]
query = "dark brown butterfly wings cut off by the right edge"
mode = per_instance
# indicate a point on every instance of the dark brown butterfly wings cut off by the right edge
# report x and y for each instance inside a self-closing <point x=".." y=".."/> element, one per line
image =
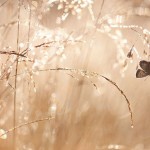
<point x="145" y="71"/>
